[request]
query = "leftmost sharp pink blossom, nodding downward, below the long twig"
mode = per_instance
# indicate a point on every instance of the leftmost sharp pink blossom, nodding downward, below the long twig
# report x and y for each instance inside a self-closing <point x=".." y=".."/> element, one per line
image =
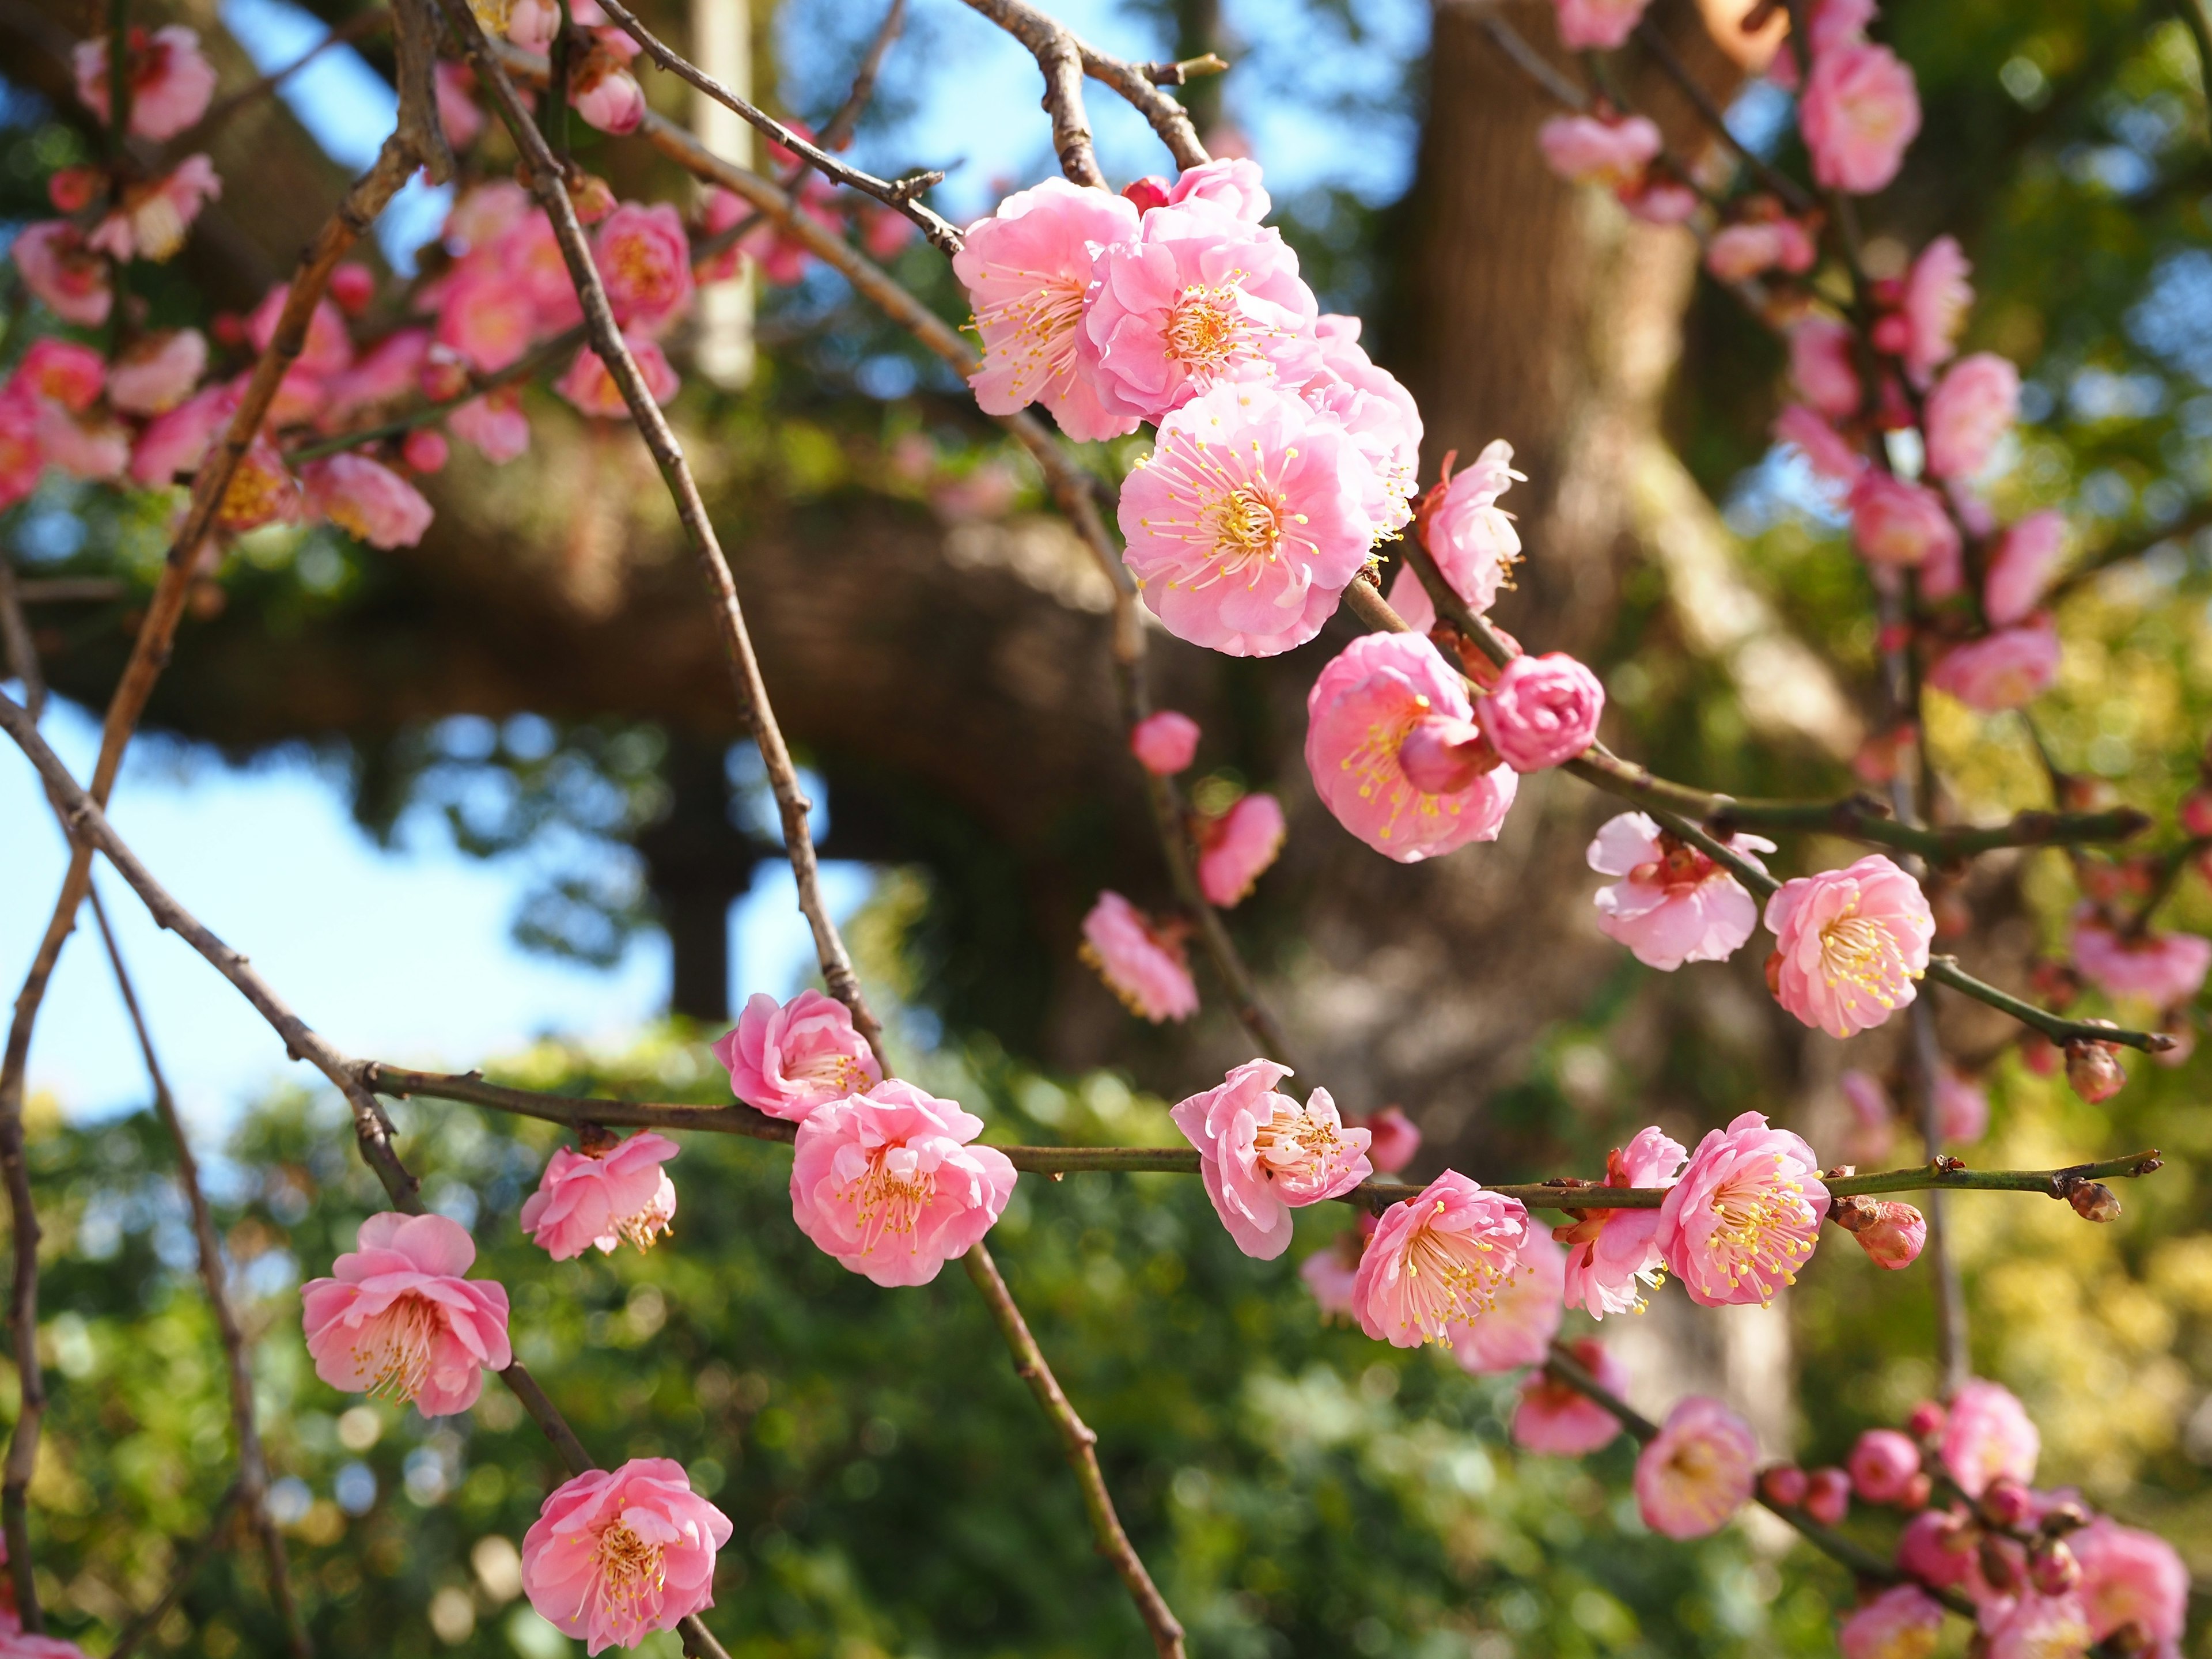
<point x="399" y="1319"/>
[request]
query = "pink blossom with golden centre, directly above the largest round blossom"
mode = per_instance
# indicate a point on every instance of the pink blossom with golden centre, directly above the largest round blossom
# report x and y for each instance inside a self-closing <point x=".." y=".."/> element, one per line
<point x="1191" y="304"/>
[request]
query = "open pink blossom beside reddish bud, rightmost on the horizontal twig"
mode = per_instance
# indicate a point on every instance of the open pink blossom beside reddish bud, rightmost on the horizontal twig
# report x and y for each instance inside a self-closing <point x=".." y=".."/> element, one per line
<point x="1746" y="1213"/>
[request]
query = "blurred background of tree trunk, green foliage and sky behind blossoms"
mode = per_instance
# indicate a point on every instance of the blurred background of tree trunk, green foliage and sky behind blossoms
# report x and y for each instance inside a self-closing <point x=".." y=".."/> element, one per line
<point x="486" y="804"/>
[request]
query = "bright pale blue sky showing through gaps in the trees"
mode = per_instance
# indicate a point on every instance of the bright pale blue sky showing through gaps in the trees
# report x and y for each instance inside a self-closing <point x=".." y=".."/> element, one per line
<point x="406" y="954"/>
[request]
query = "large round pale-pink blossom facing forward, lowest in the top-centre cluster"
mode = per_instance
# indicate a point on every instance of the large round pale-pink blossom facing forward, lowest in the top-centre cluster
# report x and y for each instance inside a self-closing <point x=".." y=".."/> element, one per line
<point x="1246" y="521"/>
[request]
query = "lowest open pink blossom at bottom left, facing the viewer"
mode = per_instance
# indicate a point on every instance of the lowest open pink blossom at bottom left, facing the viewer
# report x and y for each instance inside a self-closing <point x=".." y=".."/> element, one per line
<point x="620" y="1554"/>
